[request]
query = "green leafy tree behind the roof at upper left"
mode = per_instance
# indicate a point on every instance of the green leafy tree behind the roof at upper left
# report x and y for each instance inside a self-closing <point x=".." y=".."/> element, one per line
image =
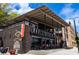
<point x="4" y="13"/>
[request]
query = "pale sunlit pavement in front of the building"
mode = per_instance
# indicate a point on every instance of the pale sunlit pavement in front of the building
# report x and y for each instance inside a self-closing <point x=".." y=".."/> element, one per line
<point x="72" y="51"/>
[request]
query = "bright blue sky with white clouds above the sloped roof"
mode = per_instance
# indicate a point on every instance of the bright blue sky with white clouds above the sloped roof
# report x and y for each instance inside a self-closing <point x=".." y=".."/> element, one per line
<point x="67" y="11"/>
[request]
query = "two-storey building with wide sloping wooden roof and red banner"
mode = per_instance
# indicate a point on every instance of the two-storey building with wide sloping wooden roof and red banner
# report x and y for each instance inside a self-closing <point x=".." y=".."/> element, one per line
<point x="38" y="29"/>
